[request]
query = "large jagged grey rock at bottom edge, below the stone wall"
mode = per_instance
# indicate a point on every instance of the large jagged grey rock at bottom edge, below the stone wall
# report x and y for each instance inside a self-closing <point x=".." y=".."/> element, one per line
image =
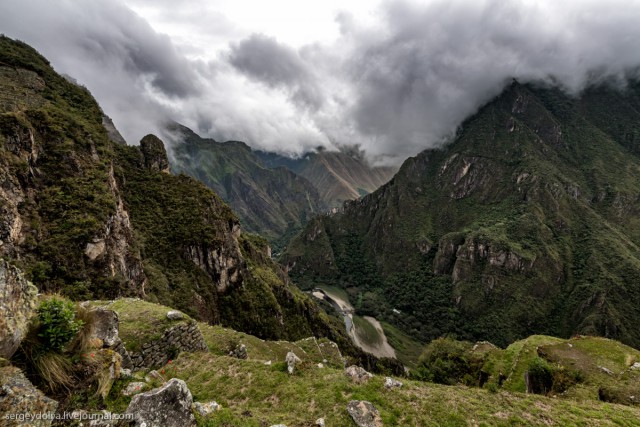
<point x="166" y="406"/>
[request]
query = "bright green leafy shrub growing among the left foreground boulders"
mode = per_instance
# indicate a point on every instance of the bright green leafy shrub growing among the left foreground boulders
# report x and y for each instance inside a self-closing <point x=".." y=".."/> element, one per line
<point x="57" y="323"/>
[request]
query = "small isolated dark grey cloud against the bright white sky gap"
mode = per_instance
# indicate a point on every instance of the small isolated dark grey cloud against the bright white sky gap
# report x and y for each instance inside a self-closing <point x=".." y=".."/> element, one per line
<point x="279" y="66"/>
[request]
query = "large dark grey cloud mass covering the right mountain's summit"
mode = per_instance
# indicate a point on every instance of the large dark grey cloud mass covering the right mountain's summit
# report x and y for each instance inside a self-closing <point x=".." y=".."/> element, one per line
<point x="431" y="66"/>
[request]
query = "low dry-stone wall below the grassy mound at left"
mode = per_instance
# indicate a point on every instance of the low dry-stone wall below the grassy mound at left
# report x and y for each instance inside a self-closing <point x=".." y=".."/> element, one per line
<point x="183" y="337"/>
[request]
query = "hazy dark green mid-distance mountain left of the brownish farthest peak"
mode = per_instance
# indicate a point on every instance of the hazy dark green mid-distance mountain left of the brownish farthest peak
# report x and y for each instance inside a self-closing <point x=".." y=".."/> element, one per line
<point x="274" y="202"/>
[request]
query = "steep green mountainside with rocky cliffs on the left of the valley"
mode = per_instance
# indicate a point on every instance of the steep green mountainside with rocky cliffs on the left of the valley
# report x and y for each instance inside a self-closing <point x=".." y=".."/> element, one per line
<point x="91" y="218"/>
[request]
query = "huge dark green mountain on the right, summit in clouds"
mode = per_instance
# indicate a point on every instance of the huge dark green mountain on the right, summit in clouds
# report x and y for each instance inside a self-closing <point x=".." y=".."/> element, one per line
<point x="527" y="222"/>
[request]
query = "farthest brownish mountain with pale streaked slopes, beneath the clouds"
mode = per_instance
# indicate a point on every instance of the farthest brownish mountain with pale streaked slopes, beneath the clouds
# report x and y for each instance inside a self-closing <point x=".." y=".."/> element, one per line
<point x="339" y="176"/>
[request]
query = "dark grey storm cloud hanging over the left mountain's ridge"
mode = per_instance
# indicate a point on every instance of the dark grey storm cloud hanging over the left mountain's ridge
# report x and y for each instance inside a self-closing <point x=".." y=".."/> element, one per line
<point x="104" y="45"/>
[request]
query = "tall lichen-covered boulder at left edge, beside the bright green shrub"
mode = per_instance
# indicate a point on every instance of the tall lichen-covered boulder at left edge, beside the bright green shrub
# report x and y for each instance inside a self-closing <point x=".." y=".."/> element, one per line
<point x="17" y="306"/>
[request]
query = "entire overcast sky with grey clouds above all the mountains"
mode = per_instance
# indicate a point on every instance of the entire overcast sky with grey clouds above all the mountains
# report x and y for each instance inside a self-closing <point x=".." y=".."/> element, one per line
<point x="286" y="75"/>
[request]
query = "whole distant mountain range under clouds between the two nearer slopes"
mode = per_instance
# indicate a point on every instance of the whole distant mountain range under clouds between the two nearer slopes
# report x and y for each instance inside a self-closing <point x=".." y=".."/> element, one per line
<point x="274" y="195"/>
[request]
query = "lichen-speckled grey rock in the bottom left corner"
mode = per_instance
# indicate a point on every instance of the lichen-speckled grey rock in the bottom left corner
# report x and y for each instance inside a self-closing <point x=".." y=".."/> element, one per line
<point x="19" y="396"/>
